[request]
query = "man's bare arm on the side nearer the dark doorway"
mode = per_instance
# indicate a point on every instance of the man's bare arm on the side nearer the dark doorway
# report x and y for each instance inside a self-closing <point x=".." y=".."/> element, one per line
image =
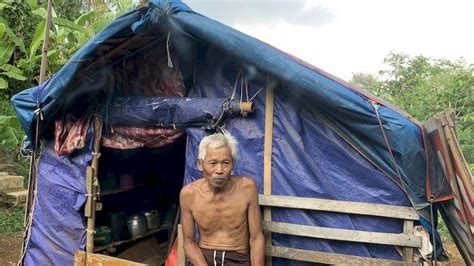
<point x="191" y="249"/>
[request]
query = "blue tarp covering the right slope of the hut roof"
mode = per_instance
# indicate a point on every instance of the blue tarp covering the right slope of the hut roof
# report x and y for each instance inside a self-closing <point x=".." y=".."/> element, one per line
<point x="351" y="113"/>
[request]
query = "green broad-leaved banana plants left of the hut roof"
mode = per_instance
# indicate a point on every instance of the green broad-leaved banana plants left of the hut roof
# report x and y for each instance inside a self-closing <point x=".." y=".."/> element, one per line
<point x="22" y="26"/>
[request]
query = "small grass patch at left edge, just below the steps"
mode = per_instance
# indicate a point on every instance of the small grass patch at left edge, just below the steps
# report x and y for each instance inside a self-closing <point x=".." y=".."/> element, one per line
<point x="11" y="221"/>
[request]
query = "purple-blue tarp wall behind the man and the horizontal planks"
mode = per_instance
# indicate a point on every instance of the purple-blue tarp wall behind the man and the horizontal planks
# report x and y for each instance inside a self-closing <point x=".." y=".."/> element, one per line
<point x="309" y="160"/>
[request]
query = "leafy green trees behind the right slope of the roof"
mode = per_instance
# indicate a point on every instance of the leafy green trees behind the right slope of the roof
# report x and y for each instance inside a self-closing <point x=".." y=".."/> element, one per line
<point x="423" y="87"/>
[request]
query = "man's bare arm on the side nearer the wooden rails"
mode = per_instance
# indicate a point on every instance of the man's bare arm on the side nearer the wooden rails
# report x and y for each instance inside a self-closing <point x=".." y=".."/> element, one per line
<point x="257" y="241"/>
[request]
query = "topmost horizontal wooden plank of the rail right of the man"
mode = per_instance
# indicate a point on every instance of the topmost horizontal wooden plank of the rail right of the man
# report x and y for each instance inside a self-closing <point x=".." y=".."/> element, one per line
<point x="381" y="210"/>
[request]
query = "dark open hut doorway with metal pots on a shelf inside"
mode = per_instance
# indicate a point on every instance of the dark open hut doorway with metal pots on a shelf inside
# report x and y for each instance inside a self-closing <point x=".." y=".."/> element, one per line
<point x="139" y="194"/>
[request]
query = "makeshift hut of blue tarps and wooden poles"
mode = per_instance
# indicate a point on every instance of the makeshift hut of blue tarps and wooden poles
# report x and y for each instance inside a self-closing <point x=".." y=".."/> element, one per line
<point x="116" y="130"/>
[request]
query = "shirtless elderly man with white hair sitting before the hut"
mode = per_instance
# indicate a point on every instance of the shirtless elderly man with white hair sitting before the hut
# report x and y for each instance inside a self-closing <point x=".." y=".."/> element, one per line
<point x="225" y="208"/>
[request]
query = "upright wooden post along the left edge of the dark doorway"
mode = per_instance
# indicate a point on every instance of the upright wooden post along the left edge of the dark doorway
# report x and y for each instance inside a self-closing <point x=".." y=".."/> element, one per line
<point x="92" y="185"/>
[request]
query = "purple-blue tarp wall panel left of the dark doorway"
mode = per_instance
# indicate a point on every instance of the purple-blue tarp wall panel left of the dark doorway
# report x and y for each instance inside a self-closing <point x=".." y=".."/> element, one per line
<point x="58" y="228"/>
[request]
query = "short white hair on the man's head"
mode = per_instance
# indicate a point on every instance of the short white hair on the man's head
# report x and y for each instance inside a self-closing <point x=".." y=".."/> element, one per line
<point x="216" y="141"/>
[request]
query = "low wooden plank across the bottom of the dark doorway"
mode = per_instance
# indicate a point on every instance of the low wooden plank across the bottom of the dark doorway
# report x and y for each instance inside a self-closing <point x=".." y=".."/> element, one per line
<point x="81" y="258"/>
